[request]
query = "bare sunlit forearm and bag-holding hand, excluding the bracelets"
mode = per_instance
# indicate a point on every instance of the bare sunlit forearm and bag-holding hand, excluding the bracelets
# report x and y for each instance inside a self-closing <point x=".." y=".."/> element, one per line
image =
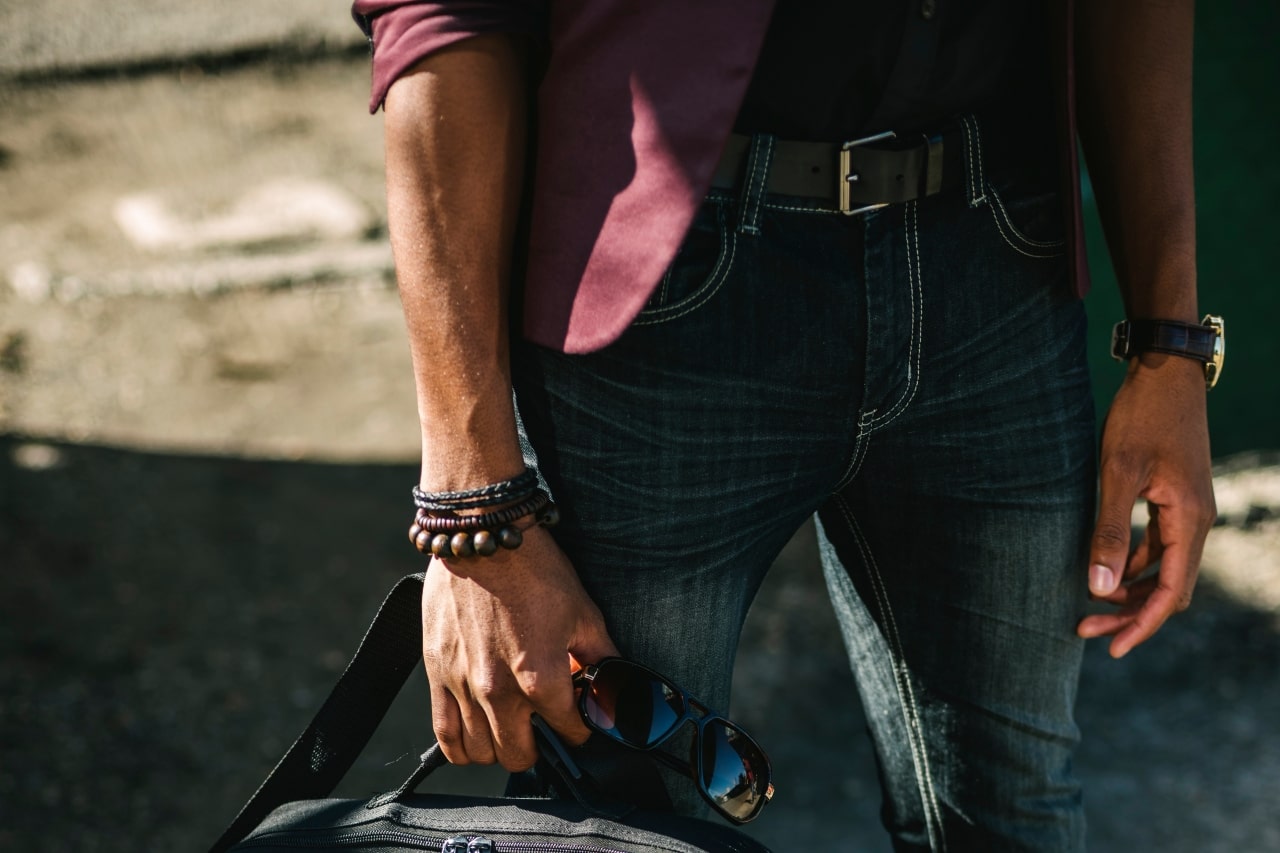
<point x="497" y="632"/>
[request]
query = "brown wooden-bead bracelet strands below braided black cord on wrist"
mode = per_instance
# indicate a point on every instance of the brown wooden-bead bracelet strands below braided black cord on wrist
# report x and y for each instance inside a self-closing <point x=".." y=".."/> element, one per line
<point x="468" y="536"/>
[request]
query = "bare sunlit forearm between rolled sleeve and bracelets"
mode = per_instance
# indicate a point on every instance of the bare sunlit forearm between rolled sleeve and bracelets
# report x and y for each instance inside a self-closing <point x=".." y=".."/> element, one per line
<point x="455" y="159"/>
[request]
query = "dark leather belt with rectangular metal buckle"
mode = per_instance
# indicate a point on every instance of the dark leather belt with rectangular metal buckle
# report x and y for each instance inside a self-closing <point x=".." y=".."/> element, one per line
<point x="854" y="177"/>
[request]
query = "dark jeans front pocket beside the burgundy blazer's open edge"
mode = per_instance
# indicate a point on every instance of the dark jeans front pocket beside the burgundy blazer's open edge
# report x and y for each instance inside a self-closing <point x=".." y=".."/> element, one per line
<point x="701" y="267"/>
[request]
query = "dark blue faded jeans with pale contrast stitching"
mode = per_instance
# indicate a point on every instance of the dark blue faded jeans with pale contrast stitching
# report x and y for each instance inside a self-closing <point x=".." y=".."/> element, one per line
<point x="917" y="378"/>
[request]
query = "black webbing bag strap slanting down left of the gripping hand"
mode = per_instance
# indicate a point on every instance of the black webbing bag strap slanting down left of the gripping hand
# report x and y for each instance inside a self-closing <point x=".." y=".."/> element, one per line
<point x="330" y="746"/>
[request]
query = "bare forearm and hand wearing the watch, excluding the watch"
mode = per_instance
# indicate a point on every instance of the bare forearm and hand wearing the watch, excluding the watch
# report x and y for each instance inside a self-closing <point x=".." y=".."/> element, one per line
<point x="1135" y="83"/>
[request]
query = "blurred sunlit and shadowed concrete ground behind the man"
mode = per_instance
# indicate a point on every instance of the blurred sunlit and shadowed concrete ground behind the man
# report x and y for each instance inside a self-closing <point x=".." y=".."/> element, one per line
<point x="208" y="434"/>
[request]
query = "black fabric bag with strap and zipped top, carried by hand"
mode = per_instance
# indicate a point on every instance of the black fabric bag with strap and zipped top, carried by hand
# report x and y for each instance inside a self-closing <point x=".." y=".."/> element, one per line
<point x="291" y="811"/>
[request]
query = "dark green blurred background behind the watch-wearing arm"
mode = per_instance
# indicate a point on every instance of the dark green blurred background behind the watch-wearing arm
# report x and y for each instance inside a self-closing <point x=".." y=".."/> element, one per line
<point x="1238" y="198"/>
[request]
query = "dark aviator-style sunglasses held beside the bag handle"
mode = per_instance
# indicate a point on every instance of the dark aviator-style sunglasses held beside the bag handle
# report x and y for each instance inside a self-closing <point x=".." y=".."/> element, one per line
<point x="641" y="709"/>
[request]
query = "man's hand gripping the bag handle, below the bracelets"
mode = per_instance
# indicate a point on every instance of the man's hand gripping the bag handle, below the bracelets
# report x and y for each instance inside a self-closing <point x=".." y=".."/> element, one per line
<point x="497" y="637"/>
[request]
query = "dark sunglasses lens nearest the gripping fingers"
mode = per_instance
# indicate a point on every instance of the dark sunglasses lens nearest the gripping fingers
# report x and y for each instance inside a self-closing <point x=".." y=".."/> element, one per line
<point x="633" y="706"/>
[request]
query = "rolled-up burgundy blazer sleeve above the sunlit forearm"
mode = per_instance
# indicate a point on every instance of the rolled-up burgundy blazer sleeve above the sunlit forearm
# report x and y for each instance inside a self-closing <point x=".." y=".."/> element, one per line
<point x="403" y="33"/>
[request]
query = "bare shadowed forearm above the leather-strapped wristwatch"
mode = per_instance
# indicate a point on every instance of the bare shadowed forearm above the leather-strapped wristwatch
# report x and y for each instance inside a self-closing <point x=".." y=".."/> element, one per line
<point x="1135" y="62"/>
